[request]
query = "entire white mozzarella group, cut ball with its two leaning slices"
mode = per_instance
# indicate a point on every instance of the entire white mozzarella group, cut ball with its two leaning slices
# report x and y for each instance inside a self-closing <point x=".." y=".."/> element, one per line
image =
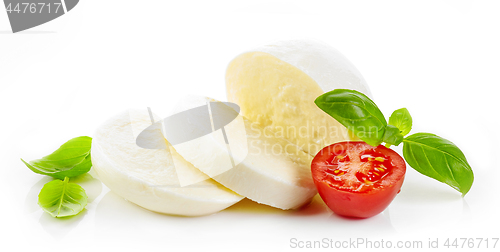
<point x="263" y="154"/>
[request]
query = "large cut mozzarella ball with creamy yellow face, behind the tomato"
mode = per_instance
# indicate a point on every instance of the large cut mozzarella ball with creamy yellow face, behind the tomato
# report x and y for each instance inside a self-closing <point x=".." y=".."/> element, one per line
<point x="276" y="85"/>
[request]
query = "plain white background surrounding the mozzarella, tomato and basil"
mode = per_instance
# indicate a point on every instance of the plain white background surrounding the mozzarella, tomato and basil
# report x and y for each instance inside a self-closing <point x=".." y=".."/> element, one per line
<point x="439" y="59"/>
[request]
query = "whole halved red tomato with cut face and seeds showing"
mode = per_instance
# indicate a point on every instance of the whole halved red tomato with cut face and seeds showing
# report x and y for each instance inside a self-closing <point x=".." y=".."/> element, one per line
<point x="356" y="179"/>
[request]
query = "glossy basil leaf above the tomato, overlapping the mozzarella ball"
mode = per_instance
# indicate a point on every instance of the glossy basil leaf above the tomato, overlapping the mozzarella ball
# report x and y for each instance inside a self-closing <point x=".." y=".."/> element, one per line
<point x="356" y="112"/>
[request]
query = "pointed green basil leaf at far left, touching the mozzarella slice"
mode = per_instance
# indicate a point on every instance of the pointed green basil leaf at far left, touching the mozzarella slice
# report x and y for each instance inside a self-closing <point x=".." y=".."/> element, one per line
<point x="70" y="160"/>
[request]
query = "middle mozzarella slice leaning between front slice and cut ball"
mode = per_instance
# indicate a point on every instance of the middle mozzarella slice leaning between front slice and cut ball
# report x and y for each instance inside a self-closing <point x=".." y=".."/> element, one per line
<point x="256" y="163"/>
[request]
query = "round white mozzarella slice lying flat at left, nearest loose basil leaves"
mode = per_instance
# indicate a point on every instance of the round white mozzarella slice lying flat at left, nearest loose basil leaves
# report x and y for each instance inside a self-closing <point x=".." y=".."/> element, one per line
<point x="149" y="177"/>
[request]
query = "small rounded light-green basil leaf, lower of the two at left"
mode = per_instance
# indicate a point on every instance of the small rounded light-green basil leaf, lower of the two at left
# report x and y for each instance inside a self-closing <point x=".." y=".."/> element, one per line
<point x="62" y="199"/>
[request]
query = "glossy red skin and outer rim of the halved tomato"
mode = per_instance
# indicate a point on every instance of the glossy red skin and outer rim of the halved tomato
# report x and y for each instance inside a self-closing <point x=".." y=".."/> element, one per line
<point x="354" y="203"/>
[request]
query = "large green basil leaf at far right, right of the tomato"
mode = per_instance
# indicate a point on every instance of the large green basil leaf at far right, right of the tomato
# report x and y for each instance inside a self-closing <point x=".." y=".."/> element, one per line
<point x="440" y="159"/>
